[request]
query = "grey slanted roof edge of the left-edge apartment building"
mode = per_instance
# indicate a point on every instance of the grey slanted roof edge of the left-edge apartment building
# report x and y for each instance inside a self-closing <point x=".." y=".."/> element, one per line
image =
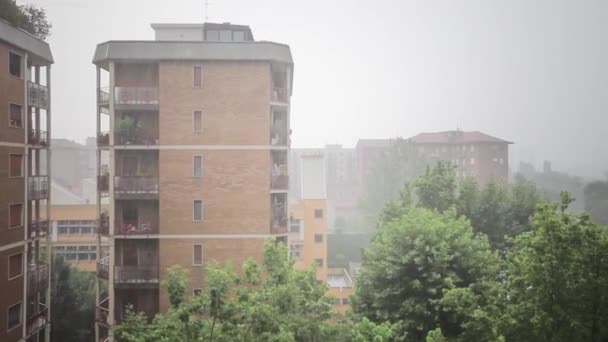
<point x="39" y="50"/>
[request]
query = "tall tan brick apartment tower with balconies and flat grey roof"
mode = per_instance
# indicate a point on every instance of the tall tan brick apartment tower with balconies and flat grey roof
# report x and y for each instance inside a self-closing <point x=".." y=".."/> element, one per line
<point x="196" y="129"/>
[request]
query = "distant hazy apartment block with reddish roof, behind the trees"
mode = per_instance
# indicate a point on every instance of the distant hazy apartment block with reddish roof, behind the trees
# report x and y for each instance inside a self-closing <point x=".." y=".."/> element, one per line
<point x="474" y="154"/>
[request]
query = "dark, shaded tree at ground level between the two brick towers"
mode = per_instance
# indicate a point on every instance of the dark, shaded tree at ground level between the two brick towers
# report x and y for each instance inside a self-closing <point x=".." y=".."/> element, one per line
<point x="73" y="292"/>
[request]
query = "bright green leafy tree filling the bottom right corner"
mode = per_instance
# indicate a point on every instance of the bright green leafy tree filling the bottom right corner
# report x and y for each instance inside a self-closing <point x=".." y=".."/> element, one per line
<point x="557" y="284"/>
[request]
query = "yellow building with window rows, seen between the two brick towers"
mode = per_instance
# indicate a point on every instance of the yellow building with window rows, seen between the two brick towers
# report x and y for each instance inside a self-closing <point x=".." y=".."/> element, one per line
<point x="74" y="234"/>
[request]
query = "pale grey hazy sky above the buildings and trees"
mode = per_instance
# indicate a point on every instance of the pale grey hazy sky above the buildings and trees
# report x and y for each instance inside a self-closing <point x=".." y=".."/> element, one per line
<point x="533" y="72"/>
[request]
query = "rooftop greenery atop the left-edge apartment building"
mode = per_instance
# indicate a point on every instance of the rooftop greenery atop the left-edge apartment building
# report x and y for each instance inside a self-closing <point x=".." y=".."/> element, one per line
<point x="28" y="17"/>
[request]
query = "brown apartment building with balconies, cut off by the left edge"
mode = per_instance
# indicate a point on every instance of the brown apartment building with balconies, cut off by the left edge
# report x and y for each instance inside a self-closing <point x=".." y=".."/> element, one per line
<point x="25" y="75"/>
